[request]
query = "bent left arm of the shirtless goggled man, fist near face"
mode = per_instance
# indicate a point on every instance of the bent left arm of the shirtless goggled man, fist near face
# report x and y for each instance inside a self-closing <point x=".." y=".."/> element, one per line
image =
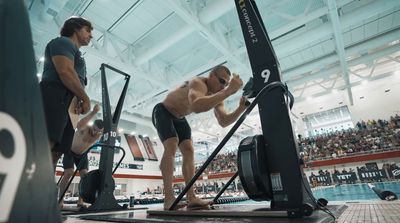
<point x="198" y="100"/>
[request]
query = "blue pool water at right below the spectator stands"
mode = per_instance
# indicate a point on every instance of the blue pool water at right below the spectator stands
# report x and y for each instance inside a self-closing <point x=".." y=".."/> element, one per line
<point x="346" y="192"/>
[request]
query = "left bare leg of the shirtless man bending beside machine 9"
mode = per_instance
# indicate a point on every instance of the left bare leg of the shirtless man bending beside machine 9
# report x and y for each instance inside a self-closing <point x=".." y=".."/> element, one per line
<point x="167" y="165"/>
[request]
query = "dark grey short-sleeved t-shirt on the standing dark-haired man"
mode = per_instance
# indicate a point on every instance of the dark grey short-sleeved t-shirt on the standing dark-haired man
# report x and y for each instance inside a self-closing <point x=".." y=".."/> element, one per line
<point x="63" y="46"/>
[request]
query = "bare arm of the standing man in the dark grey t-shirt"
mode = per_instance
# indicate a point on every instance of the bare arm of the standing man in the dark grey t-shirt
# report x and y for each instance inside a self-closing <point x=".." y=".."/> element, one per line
<point x="69" y="77"/>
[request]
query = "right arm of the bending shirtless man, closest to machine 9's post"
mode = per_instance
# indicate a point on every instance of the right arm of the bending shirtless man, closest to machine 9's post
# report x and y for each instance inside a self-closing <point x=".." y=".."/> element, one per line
<point x="225" y="119"/>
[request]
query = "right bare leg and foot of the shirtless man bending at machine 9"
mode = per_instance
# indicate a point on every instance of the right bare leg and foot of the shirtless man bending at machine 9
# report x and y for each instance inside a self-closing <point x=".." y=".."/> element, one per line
<point x="188" y="170"/>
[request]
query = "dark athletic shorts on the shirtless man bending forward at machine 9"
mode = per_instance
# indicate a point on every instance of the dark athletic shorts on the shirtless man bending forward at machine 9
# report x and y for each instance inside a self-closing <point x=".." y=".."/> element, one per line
<point x="169" y="126"/>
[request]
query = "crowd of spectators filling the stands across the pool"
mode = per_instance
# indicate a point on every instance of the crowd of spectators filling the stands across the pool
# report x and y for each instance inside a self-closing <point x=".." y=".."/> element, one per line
<point x="366" y="137"/>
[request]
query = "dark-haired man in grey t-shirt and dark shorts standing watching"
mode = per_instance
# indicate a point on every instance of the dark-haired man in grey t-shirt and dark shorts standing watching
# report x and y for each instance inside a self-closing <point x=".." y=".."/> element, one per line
<point x="64" y="76"/>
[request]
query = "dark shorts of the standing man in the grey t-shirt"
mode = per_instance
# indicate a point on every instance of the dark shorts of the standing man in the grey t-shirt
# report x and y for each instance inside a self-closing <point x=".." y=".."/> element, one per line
<point x="56" y="100"/>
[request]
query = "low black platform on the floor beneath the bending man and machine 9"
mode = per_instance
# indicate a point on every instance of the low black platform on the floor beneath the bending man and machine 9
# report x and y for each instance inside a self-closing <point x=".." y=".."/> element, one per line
<point x="219" y="213"/>
